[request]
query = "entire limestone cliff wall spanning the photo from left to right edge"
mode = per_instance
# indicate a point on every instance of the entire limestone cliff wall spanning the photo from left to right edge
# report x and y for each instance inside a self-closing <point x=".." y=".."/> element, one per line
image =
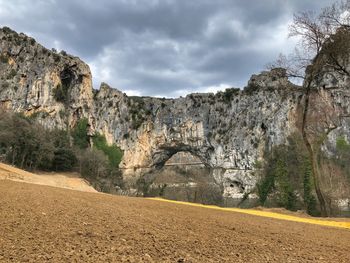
<point x="228" y="131"/>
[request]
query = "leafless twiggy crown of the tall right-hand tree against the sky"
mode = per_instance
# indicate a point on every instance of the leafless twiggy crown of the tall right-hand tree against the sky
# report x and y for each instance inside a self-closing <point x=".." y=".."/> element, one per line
<point x="314" y="30"/>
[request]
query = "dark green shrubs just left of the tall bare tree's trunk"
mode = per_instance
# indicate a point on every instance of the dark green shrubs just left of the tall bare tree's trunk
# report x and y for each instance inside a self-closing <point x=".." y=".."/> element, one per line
<point x="284" y="174"/>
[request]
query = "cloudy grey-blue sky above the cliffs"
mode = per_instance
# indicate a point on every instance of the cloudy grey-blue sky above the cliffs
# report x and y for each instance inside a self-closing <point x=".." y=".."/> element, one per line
<point x="164" y="48"/>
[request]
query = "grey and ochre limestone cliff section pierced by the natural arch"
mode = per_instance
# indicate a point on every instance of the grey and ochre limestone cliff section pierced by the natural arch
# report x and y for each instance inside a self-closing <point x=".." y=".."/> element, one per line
<point x="228" y="132"/>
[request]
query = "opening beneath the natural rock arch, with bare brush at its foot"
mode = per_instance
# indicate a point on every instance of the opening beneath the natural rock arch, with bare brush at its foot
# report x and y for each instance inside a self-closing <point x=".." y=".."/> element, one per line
<point x="182" y="175"/>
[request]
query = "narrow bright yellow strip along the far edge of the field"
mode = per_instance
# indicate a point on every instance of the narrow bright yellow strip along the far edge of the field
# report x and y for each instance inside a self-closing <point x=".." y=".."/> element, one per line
<point x="314" y="221"/>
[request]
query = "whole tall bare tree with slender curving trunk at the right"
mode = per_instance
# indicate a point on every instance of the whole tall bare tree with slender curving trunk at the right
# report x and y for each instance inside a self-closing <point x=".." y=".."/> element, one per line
<point x="324" y="39"/>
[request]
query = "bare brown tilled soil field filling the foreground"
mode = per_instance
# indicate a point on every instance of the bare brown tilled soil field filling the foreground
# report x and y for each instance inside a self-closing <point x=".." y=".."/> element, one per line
<point x="46" y="224"/>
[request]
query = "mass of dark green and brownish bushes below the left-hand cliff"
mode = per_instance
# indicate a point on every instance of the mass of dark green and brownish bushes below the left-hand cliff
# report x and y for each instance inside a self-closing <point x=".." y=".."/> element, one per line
<point x="27" y="145"/>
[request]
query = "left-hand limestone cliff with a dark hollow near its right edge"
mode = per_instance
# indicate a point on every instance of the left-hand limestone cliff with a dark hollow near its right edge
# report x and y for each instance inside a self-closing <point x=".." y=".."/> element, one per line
<point x="30" y="73"/>
